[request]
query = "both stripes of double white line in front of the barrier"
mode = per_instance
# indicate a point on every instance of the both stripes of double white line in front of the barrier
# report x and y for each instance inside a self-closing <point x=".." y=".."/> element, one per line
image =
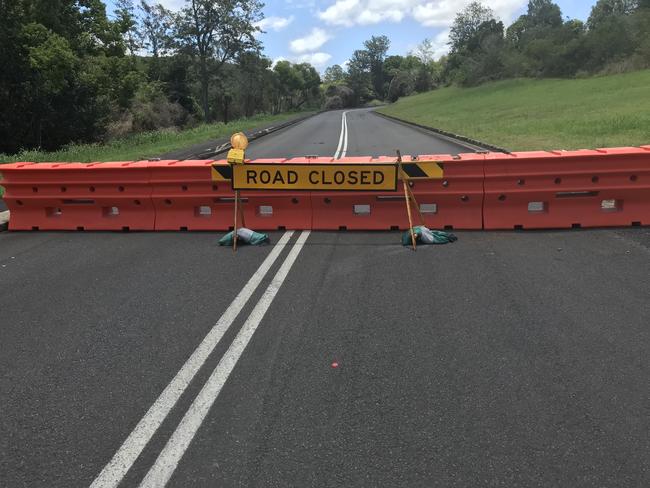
<point x="168" y="460"/>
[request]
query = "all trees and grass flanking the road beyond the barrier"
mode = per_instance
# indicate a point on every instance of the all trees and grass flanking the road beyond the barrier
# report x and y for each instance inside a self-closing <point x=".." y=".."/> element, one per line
<point x="82" y="83"/>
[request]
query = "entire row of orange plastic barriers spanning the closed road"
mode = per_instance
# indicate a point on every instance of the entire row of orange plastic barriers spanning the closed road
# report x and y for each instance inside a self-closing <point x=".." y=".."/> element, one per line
<point x="533" y="190"/>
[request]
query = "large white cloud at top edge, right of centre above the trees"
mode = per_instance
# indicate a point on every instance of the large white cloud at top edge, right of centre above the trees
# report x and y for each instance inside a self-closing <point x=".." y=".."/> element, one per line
<point x="430" y="13"/>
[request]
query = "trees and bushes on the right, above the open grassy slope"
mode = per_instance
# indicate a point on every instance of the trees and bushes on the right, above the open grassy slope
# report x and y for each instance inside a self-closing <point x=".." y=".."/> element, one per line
<point x="540" y="43"/>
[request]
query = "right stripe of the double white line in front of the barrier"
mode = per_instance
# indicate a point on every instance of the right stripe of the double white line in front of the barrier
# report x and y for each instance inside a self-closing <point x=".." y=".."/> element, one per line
<point x="168" y="460"/>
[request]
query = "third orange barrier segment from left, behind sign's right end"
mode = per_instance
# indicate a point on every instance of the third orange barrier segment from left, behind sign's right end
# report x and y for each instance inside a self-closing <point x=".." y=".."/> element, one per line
<point x="454" y="202"/>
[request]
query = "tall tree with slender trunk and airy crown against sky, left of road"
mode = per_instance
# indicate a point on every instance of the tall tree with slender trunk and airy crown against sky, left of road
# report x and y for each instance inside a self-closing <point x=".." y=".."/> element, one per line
<point x="215" y="32"/>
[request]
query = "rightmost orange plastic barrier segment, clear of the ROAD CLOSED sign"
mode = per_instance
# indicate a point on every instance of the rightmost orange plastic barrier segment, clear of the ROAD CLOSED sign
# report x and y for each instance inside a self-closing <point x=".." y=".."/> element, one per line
<point x="564" y="189"/>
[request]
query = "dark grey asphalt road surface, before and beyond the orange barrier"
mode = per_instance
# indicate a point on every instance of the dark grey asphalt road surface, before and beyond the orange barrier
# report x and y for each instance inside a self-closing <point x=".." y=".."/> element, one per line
<point x="326" y="359"/>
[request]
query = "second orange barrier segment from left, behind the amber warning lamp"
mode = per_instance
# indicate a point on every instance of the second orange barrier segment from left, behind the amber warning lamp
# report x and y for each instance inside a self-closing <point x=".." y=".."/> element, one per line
<point x="186" y="198"/>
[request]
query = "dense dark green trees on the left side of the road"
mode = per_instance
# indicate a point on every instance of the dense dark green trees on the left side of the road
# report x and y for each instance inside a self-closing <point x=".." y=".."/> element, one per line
<point x="73" y="73"/>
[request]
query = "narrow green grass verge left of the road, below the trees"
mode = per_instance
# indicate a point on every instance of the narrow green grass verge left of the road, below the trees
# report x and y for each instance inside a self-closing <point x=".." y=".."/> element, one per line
<point x="145" y="145"/>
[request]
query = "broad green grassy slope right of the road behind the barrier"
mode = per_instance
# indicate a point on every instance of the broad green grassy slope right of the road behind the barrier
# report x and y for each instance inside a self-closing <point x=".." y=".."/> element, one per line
<point x="522" y="114"/>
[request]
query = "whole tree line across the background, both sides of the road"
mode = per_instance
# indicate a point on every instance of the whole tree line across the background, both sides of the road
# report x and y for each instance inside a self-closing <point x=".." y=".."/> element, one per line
<point x="73" y="73"/>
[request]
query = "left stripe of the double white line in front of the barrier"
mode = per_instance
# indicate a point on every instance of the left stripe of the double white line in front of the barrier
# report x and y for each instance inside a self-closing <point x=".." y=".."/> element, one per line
<point x="116" y="469"/>
